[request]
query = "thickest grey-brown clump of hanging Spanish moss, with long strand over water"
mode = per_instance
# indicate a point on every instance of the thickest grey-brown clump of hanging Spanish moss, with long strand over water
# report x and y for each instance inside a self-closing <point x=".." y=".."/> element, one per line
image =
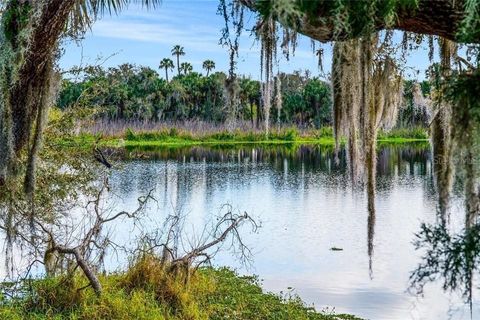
<point x="368" y="91"/>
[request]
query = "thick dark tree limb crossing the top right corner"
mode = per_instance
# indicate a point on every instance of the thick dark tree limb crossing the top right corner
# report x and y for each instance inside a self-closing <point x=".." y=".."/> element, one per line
<point x="327" y="20"/>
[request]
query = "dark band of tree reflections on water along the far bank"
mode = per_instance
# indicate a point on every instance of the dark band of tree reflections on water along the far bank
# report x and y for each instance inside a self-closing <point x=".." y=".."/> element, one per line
<point x="391" y="159"/>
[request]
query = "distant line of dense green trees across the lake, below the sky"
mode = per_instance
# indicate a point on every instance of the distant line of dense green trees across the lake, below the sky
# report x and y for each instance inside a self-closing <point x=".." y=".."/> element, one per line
<point x="130" y="92"/>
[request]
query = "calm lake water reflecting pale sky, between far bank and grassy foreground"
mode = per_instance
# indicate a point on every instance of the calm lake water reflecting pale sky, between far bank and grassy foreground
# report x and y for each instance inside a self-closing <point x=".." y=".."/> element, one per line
<point x="306" y="206"/>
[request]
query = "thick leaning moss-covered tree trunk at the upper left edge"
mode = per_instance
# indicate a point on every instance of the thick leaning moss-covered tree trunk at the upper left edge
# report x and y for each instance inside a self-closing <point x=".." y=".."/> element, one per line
<point x="29" y="42"/>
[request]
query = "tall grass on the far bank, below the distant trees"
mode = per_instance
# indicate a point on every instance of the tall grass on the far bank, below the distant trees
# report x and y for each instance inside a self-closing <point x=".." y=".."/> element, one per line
<point x="196" y="132"/>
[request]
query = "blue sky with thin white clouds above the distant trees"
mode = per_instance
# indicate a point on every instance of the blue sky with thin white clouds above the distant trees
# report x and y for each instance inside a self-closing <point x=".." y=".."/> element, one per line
<point x="145" y="37"/>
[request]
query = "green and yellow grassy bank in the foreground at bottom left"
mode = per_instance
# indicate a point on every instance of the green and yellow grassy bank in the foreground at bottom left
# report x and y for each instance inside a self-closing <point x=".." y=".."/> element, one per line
<point x="147" y="291"/>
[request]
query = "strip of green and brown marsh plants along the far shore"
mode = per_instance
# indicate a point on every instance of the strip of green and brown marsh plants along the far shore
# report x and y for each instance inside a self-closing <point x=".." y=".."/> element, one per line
<point x="187" y="134"/>
